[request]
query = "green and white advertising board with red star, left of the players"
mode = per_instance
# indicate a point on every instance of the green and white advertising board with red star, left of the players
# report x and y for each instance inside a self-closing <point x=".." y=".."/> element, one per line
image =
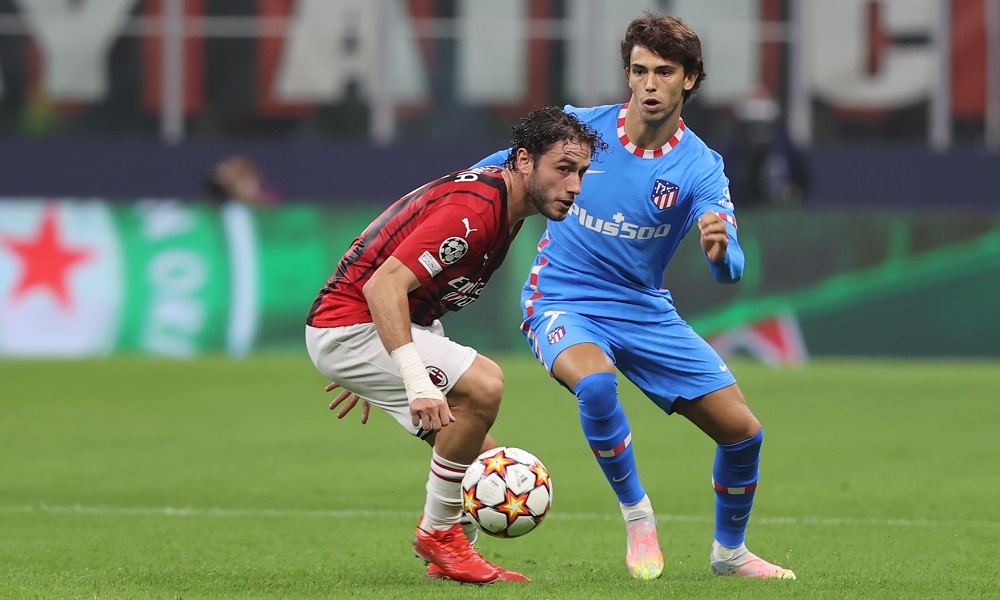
<point x="163" y="277"/>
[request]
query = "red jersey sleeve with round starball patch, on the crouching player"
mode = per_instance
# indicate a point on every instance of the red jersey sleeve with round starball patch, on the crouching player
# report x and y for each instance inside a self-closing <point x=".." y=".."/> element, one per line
<point x="452" y="234"/>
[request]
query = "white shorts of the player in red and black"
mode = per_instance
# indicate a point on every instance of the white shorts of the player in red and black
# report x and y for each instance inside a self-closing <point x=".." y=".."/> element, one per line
<point x="354" y="357"/>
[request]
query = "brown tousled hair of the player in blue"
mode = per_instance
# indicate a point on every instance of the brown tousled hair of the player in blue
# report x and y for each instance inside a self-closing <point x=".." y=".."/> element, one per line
<point x="669" y="38"/>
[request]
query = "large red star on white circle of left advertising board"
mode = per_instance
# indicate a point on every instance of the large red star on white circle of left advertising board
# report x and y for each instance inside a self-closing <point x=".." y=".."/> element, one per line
<point x="45" y="260"/>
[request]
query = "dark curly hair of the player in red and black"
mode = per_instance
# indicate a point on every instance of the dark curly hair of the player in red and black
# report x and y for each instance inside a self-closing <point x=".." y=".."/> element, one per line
<point x="544" y="127"/>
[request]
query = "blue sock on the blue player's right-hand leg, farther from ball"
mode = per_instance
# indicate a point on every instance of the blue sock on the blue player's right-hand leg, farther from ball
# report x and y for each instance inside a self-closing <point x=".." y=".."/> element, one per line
<point x="735" y="480"/>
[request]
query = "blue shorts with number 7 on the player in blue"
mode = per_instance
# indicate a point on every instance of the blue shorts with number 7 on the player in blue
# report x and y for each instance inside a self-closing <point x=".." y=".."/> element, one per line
<point x="666" y="360"/>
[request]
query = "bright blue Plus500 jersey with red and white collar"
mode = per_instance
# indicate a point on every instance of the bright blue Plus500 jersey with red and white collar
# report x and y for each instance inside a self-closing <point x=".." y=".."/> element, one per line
<point x="609" y="254"/>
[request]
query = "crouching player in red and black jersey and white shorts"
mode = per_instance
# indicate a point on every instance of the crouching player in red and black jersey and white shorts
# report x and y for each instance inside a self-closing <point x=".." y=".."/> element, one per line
<point x="374" y="329"/>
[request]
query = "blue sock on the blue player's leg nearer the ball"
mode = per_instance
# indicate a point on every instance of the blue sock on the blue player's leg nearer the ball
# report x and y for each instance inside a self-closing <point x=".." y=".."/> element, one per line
<point x="607" y="430"/>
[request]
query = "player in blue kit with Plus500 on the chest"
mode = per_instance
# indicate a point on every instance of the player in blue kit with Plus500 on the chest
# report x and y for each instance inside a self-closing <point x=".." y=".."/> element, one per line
<point x="594" y="300"/>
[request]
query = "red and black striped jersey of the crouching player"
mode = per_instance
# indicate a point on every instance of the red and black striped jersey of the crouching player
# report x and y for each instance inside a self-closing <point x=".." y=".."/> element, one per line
<point x="452" y="233"/>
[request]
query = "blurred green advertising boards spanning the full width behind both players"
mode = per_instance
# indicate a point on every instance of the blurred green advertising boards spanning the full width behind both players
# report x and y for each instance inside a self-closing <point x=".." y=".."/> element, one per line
<point x="85" y="277"/>
